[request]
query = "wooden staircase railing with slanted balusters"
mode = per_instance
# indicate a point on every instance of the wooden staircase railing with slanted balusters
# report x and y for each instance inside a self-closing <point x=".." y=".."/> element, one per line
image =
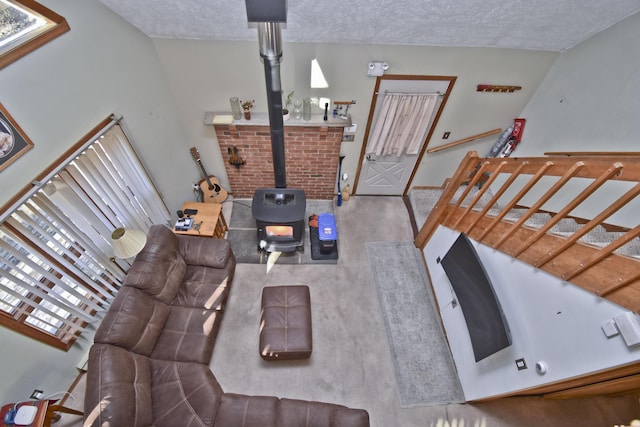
<point x="511" y="183"/>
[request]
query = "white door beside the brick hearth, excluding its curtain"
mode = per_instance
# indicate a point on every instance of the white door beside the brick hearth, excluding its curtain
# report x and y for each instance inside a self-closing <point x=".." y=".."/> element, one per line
<point x="388" y="175"/>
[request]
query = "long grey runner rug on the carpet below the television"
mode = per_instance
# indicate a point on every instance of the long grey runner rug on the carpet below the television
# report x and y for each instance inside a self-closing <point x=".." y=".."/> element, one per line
<point x="424" y="369"/>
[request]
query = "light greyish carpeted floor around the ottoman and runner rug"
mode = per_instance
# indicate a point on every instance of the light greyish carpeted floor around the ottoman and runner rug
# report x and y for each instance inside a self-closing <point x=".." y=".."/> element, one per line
<point x="351" y="363"/>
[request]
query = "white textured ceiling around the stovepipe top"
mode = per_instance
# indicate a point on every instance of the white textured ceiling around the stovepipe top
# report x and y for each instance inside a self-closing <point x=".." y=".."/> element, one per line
<point x="524" y="24"/>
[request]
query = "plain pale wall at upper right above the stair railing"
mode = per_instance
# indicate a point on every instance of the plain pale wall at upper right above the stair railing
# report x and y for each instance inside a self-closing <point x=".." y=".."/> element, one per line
<point x="589" y="100"/>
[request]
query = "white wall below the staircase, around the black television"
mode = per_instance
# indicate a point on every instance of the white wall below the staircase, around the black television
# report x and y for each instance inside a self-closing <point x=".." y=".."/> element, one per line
<point x="550" y="321"/>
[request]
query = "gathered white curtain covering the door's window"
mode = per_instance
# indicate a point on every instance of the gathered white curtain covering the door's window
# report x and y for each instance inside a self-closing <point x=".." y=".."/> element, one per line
<point x="402" y="124"/>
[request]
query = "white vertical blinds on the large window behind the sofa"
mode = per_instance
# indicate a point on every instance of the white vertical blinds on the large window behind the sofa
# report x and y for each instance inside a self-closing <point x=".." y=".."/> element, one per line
<point x="57" y="271"/>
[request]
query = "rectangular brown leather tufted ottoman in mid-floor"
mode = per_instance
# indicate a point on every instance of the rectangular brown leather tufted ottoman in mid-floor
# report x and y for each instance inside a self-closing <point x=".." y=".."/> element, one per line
<point x="285" y="323"/>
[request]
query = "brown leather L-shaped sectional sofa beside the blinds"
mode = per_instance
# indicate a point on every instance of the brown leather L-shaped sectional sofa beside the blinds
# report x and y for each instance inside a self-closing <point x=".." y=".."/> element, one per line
<point x="148" y="365"/>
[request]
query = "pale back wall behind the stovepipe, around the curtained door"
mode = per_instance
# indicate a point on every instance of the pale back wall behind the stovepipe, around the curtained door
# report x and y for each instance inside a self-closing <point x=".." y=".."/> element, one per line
<point x="204" y="74"/>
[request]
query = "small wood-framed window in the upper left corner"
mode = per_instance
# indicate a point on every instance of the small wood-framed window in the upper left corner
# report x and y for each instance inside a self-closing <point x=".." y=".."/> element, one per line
<point x="25" y="25"/>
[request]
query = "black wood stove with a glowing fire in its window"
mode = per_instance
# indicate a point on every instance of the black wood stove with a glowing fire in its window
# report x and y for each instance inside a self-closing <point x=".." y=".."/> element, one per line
<point x="279" y="215"/>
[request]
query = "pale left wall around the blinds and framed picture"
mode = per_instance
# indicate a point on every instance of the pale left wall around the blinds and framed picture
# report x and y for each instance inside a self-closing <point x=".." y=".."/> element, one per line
<point x="59" y="93"/>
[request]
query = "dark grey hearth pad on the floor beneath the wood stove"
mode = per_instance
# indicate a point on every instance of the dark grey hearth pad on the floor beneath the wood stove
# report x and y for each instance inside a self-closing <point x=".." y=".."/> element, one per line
<point x="242" y="235"/>
